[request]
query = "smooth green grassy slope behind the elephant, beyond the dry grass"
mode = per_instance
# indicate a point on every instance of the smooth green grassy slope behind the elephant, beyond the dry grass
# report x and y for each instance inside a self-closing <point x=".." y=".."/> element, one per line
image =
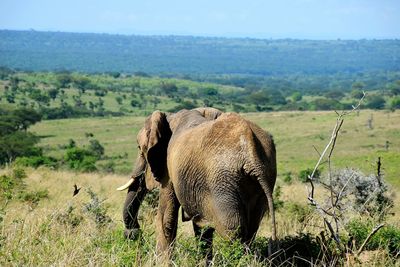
<point x="295" y="133"/>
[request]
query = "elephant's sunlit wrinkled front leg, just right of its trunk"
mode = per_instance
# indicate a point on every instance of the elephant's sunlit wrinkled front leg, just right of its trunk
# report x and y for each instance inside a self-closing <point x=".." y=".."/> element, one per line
<point x="167" y="219"/>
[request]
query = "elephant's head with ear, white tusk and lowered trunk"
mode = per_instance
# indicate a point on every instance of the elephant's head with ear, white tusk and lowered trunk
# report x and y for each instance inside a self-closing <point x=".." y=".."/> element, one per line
<point x="150" y="168"/>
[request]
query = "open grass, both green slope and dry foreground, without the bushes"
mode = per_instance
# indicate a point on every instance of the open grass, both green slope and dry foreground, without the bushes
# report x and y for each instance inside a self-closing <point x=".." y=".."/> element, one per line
<point x="60" y="230"/>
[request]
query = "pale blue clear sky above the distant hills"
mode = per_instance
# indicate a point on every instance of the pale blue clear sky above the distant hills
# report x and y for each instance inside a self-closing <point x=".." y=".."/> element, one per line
<point x="303" y="19"/>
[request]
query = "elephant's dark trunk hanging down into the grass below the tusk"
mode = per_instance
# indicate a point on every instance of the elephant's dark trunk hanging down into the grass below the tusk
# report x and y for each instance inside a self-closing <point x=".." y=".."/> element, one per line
<point x="136" y="193"/>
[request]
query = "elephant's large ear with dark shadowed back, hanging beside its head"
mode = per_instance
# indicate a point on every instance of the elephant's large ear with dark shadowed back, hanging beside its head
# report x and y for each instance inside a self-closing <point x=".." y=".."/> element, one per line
<point x="159" y="136"/>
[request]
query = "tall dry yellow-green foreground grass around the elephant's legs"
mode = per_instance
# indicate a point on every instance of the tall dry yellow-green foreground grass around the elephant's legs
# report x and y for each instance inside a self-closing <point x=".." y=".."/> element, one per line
<point x="62" y="230"/>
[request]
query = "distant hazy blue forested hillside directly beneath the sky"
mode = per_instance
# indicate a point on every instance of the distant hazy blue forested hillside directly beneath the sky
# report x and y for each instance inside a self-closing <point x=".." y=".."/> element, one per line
<point x="86" y="52"/>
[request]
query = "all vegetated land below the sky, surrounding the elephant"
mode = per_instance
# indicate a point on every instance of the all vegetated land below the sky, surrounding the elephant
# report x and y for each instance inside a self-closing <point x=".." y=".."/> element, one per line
<point x="70" y="114"/>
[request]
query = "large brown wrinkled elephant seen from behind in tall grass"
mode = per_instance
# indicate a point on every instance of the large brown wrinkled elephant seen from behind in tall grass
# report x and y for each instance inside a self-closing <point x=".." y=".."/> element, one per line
<point x="219" y="168"/>
